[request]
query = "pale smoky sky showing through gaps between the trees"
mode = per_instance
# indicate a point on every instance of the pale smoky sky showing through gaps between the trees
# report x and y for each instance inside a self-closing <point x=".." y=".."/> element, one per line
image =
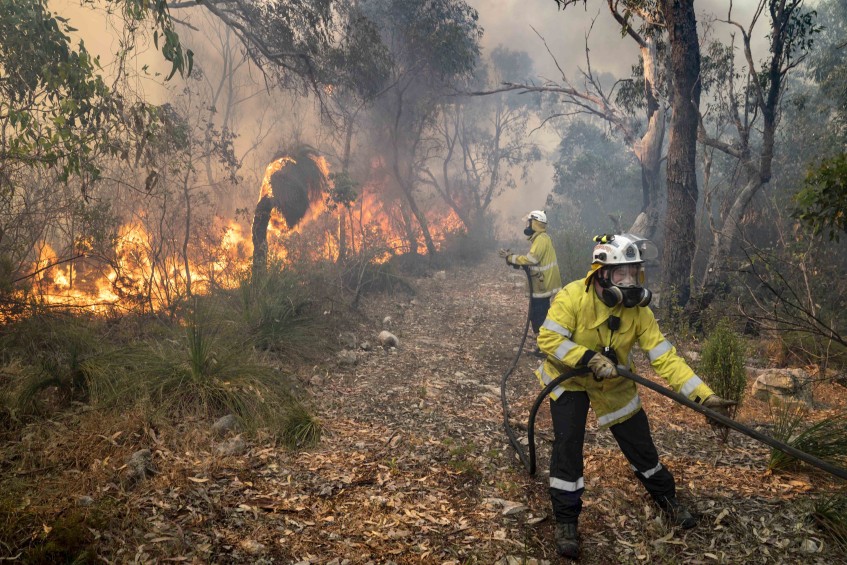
<point x="520" y="25"/>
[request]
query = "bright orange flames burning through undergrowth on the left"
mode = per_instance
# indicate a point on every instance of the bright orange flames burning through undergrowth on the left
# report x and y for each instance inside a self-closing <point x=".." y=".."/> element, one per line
<point x="135" y="276"/>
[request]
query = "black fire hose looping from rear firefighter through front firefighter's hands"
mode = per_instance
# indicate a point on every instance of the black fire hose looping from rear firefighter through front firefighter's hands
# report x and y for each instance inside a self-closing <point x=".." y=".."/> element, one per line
<point x="528" y="460"/>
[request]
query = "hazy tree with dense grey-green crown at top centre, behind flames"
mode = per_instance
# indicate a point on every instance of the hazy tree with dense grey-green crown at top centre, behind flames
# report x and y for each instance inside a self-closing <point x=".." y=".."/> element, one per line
<point x="430" y="45"/>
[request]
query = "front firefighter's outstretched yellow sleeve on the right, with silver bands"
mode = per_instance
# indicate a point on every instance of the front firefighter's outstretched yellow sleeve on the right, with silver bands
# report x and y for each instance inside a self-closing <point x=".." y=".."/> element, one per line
<point x="668" y="364"/>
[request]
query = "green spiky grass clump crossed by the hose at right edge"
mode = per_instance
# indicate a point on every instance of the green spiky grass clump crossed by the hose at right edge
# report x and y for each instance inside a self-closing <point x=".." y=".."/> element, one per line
<point x="826" y="439"/>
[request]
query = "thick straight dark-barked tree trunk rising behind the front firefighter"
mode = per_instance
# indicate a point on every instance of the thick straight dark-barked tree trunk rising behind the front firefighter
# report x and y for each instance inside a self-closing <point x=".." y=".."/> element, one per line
<point x="678" y="251"/>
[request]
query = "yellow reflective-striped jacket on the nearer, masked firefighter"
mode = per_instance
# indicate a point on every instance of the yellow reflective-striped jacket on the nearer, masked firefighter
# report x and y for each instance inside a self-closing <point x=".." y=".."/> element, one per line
<point x="577" y="322"/>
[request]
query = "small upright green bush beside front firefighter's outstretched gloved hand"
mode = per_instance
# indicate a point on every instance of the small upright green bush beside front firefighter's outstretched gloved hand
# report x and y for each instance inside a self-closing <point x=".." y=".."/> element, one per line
<point x="722" y="362"/>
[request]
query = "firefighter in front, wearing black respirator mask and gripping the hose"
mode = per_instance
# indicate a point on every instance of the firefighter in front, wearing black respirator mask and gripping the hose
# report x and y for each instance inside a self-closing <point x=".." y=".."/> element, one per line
<point x="593" y="323"/>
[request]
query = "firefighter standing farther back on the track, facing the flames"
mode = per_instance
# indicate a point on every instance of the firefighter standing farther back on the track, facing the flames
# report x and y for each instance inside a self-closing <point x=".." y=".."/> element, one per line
<point x="543" y="267"/>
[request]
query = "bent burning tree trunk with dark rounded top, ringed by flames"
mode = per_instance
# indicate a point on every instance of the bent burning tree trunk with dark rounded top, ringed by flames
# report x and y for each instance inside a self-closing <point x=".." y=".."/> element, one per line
<point x="292" y="183"/>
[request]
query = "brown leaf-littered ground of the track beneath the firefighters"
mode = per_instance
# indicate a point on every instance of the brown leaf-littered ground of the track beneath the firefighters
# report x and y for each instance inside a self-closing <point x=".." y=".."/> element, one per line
<point x="414" y="465"/>
